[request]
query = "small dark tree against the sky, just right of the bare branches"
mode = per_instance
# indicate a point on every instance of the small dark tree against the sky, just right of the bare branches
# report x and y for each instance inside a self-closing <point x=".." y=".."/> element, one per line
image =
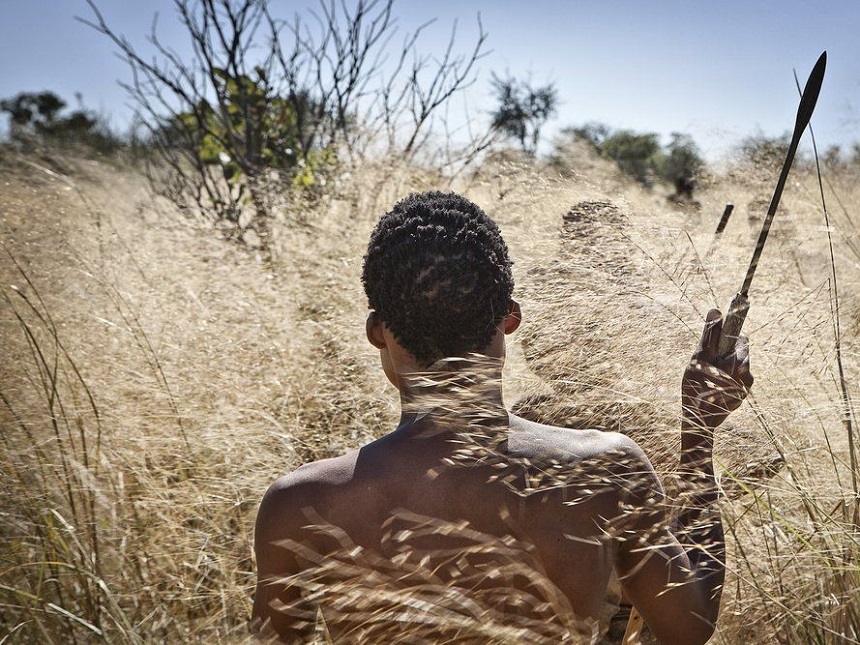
<point x="523" y="110"/>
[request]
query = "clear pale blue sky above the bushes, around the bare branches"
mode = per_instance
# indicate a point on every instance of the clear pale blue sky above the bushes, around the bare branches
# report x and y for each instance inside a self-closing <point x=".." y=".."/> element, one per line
<point x="718" y="71"/>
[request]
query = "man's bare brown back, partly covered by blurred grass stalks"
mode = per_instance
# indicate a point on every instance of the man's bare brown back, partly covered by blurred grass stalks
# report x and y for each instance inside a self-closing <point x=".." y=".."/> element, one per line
<point x="531" y="514"/>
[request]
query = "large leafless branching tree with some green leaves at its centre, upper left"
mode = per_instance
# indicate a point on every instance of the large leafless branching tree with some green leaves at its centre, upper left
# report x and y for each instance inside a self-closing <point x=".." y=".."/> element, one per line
<point x="266" y="101"/>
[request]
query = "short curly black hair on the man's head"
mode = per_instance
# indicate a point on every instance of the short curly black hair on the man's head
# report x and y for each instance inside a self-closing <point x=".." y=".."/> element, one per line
<point x="437" y="272"/>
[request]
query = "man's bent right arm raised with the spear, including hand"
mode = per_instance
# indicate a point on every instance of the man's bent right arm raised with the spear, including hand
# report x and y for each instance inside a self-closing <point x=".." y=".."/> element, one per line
<point x="672" y="570"/>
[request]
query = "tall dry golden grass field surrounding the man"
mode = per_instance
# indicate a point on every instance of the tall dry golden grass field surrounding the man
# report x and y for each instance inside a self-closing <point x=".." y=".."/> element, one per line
<point x="154" y="379"/>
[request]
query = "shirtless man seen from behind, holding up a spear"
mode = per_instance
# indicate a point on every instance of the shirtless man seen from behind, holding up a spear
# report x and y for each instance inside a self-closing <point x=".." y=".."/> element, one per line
<point x="467" y="521"/>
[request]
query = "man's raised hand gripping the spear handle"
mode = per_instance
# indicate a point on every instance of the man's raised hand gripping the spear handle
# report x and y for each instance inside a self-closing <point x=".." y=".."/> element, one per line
<point x="713" y="386"/>
